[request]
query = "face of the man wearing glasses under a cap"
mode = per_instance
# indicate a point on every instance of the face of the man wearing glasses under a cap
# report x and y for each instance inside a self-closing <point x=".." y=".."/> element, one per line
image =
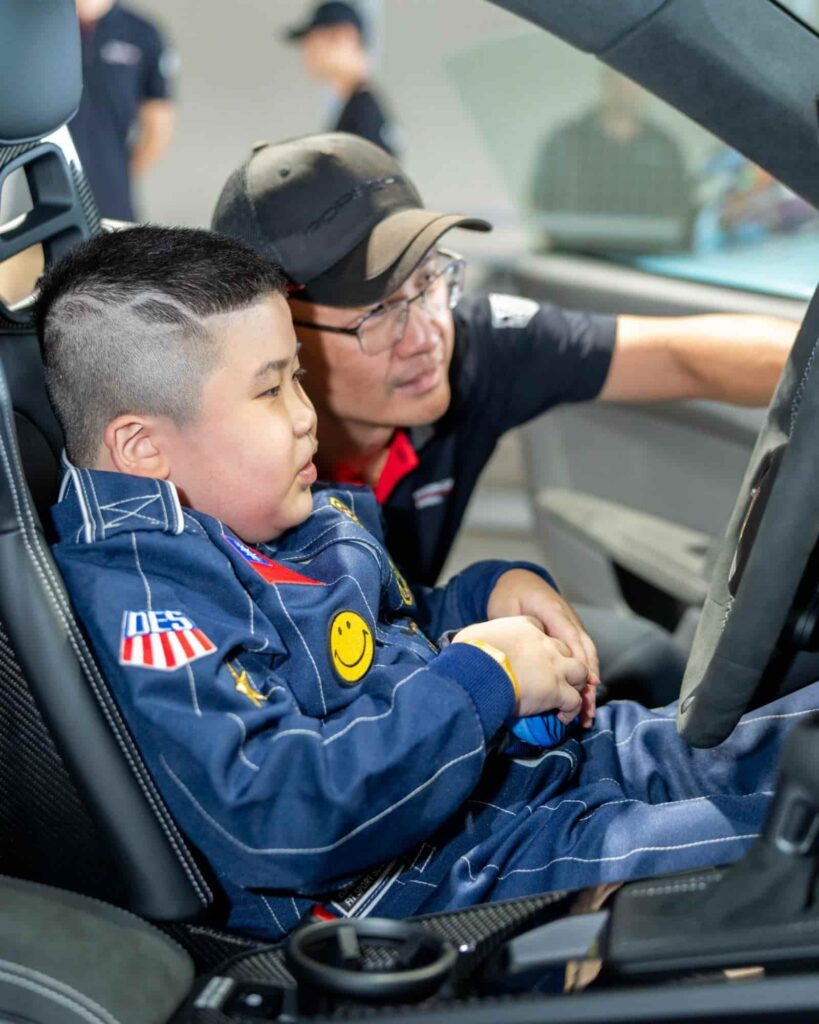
<point x="407" y="386"/>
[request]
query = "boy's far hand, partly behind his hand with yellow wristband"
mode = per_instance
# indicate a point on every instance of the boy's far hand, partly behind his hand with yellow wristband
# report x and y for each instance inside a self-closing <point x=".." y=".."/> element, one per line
<point x="521" y="592"/>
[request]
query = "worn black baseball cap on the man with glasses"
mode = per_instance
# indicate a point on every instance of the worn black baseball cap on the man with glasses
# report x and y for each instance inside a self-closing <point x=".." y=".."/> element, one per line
<point x="337" y="214"/>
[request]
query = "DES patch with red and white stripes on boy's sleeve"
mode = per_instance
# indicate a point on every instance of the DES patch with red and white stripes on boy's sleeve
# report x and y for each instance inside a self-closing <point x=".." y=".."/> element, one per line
<point x="161" y="641"/>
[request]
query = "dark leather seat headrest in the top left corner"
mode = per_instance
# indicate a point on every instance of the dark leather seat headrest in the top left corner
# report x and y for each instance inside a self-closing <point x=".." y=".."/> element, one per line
<point x="40" y="68"/>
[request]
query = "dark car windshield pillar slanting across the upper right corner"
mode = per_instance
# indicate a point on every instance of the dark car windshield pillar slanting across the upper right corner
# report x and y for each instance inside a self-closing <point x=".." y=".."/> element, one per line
<point x="746" y="70"/>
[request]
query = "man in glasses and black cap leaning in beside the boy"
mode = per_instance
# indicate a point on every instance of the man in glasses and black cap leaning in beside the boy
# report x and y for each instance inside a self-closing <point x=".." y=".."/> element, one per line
<point x="413" y="394"/>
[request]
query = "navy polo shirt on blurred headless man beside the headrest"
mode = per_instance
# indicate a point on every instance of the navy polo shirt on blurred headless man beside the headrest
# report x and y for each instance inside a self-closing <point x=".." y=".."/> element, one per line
<point x="124" y="64"/>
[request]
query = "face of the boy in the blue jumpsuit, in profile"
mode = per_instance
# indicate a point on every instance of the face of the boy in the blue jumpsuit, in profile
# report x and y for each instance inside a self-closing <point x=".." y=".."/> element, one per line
<point x="248" y="458"/>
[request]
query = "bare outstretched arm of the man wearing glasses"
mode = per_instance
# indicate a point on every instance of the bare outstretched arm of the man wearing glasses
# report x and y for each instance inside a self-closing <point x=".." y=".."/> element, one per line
<point x="728" y="358"/>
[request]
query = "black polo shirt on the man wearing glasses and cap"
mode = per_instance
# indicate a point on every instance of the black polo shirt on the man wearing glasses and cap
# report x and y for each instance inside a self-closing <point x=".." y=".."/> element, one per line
<point x="514" y="359"/>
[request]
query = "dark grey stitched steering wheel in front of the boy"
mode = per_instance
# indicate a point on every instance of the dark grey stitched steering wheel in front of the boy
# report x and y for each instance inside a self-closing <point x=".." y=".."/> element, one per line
<point x="749" y="617"/>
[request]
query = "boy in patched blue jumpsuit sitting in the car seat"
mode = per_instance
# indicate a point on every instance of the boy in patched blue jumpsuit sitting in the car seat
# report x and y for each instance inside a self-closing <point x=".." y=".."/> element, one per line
<point x="277" y="672"/>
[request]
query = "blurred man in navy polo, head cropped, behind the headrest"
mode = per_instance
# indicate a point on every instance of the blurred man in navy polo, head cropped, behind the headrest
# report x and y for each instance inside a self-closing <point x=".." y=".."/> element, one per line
<point x="125" y="120"/>
